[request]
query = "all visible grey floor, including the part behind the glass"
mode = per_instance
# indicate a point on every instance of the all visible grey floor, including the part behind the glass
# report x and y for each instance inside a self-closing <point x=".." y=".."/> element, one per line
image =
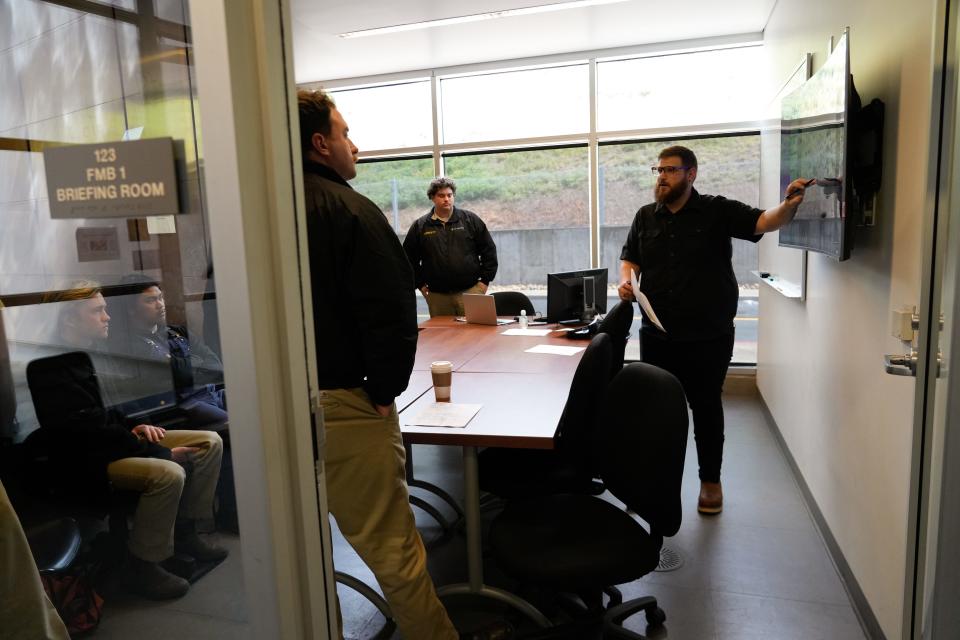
<point x="757" y="571"/>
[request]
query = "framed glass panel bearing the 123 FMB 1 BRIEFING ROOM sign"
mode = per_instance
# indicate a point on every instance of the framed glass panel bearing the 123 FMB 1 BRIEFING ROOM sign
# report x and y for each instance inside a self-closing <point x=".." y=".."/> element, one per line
<point x="146" y="249"/>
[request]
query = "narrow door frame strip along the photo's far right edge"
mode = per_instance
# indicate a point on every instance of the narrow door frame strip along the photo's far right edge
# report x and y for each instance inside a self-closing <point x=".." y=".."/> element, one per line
<point x="935" y="585"/>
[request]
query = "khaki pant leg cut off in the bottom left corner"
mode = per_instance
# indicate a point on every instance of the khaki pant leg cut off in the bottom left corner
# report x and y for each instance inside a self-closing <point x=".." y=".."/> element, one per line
<point x="26" y="613"/>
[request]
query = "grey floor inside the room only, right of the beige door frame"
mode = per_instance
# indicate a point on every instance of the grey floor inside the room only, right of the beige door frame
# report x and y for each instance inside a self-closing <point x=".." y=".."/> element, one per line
<point x="757" y="571"/>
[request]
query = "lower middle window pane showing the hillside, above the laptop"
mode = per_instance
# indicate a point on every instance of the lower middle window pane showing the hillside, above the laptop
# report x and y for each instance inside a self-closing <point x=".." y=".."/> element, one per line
<point x="536" y="205"/>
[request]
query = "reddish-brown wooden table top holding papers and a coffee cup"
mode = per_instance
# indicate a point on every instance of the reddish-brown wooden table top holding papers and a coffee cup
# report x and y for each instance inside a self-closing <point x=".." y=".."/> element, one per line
<point x="523" y="394"/>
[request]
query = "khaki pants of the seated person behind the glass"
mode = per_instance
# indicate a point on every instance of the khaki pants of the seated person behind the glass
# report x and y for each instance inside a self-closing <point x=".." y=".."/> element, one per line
<point x="167" y="491"/>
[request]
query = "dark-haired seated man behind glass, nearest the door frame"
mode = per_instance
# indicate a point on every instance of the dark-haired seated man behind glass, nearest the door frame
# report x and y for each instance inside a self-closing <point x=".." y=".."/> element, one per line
<point x="174" y="366"/>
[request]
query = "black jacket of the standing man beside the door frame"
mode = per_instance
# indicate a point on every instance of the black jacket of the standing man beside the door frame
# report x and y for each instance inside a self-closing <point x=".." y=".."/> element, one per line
<point x="364" y="307"/>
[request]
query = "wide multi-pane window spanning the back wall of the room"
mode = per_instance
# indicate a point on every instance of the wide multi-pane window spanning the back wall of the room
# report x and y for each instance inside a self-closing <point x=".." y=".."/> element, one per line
<point x="519" y="142"/>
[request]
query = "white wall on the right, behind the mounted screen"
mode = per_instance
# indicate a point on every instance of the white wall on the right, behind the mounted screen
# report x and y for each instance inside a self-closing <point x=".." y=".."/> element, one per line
<point x="848" y="424"/>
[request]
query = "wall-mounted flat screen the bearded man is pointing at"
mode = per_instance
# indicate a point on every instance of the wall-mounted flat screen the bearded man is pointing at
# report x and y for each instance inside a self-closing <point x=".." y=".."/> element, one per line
<point x="815" y="143"/>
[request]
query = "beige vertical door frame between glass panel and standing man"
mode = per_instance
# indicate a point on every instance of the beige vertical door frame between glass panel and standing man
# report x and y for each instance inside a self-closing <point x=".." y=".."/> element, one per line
<point x="251" y="160"/>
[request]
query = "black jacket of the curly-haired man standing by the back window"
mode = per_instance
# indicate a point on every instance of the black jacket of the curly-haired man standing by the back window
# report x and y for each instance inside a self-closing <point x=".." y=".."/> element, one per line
<point x="451" y="257"/>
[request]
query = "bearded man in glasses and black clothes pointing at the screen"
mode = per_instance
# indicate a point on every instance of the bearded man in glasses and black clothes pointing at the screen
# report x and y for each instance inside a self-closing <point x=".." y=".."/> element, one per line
<point x="680" y="248"/>
